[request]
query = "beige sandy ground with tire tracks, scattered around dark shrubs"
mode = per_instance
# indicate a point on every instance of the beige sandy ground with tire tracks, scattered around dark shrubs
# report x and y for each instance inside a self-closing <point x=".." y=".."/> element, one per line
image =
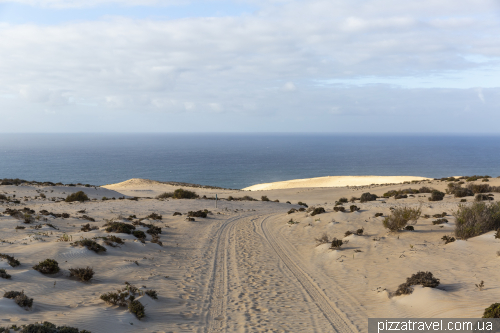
<point x="244" y="268"/>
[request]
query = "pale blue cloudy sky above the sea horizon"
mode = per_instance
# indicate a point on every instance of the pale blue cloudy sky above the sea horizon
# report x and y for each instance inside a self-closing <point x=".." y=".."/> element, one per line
<point x="337" y="66"/>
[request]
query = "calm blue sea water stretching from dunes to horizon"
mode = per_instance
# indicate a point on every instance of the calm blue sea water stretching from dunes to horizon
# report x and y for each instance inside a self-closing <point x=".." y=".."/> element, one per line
<point x="240" y="160"/>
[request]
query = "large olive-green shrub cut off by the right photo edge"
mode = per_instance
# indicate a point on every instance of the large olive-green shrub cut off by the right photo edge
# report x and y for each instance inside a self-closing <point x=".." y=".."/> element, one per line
<point x="476" y="219"/>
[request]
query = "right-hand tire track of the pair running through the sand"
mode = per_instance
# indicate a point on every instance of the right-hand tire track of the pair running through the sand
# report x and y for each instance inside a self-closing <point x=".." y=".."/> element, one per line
<point x="336" y="318"/>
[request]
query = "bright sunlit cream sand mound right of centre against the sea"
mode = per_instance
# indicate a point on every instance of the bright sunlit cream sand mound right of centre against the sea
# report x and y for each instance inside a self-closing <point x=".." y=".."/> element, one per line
<point x="334" y="181"/>
